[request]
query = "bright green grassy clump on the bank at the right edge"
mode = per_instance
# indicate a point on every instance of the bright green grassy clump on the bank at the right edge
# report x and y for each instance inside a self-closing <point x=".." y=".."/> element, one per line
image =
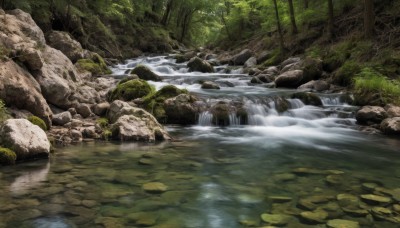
<point x="371" y="87"/>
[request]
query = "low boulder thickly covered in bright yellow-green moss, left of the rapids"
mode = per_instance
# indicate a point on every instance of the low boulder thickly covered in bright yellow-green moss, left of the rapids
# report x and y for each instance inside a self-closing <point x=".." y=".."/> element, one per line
<point x="131" y="90"/>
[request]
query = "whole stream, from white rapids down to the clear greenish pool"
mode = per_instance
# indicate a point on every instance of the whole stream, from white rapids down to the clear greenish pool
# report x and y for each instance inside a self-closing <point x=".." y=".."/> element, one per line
<point x="281" y="163"/>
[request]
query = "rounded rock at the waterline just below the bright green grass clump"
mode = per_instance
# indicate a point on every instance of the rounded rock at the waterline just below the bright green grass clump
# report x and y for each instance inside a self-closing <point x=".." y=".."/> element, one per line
<point x="371" y="114"/>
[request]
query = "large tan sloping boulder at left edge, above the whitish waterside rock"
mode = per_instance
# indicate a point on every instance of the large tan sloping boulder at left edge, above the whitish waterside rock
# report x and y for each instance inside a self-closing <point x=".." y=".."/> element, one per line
<point x="19" y="89"/>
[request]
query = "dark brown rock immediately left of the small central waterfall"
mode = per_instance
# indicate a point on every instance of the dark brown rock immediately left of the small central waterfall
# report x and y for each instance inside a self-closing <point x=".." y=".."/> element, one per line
<point x="181" y="109"/>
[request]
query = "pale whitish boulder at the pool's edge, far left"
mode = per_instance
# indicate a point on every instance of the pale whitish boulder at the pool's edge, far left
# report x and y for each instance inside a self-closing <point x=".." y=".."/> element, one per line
<point x="26" y="139"/>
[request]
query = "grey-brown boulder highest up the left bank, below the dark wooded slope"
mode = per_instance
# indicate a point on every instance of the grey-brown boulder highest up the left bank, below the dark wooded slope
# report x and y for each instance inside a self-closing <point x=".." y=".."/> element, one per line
<point x="71" y="48"/>
